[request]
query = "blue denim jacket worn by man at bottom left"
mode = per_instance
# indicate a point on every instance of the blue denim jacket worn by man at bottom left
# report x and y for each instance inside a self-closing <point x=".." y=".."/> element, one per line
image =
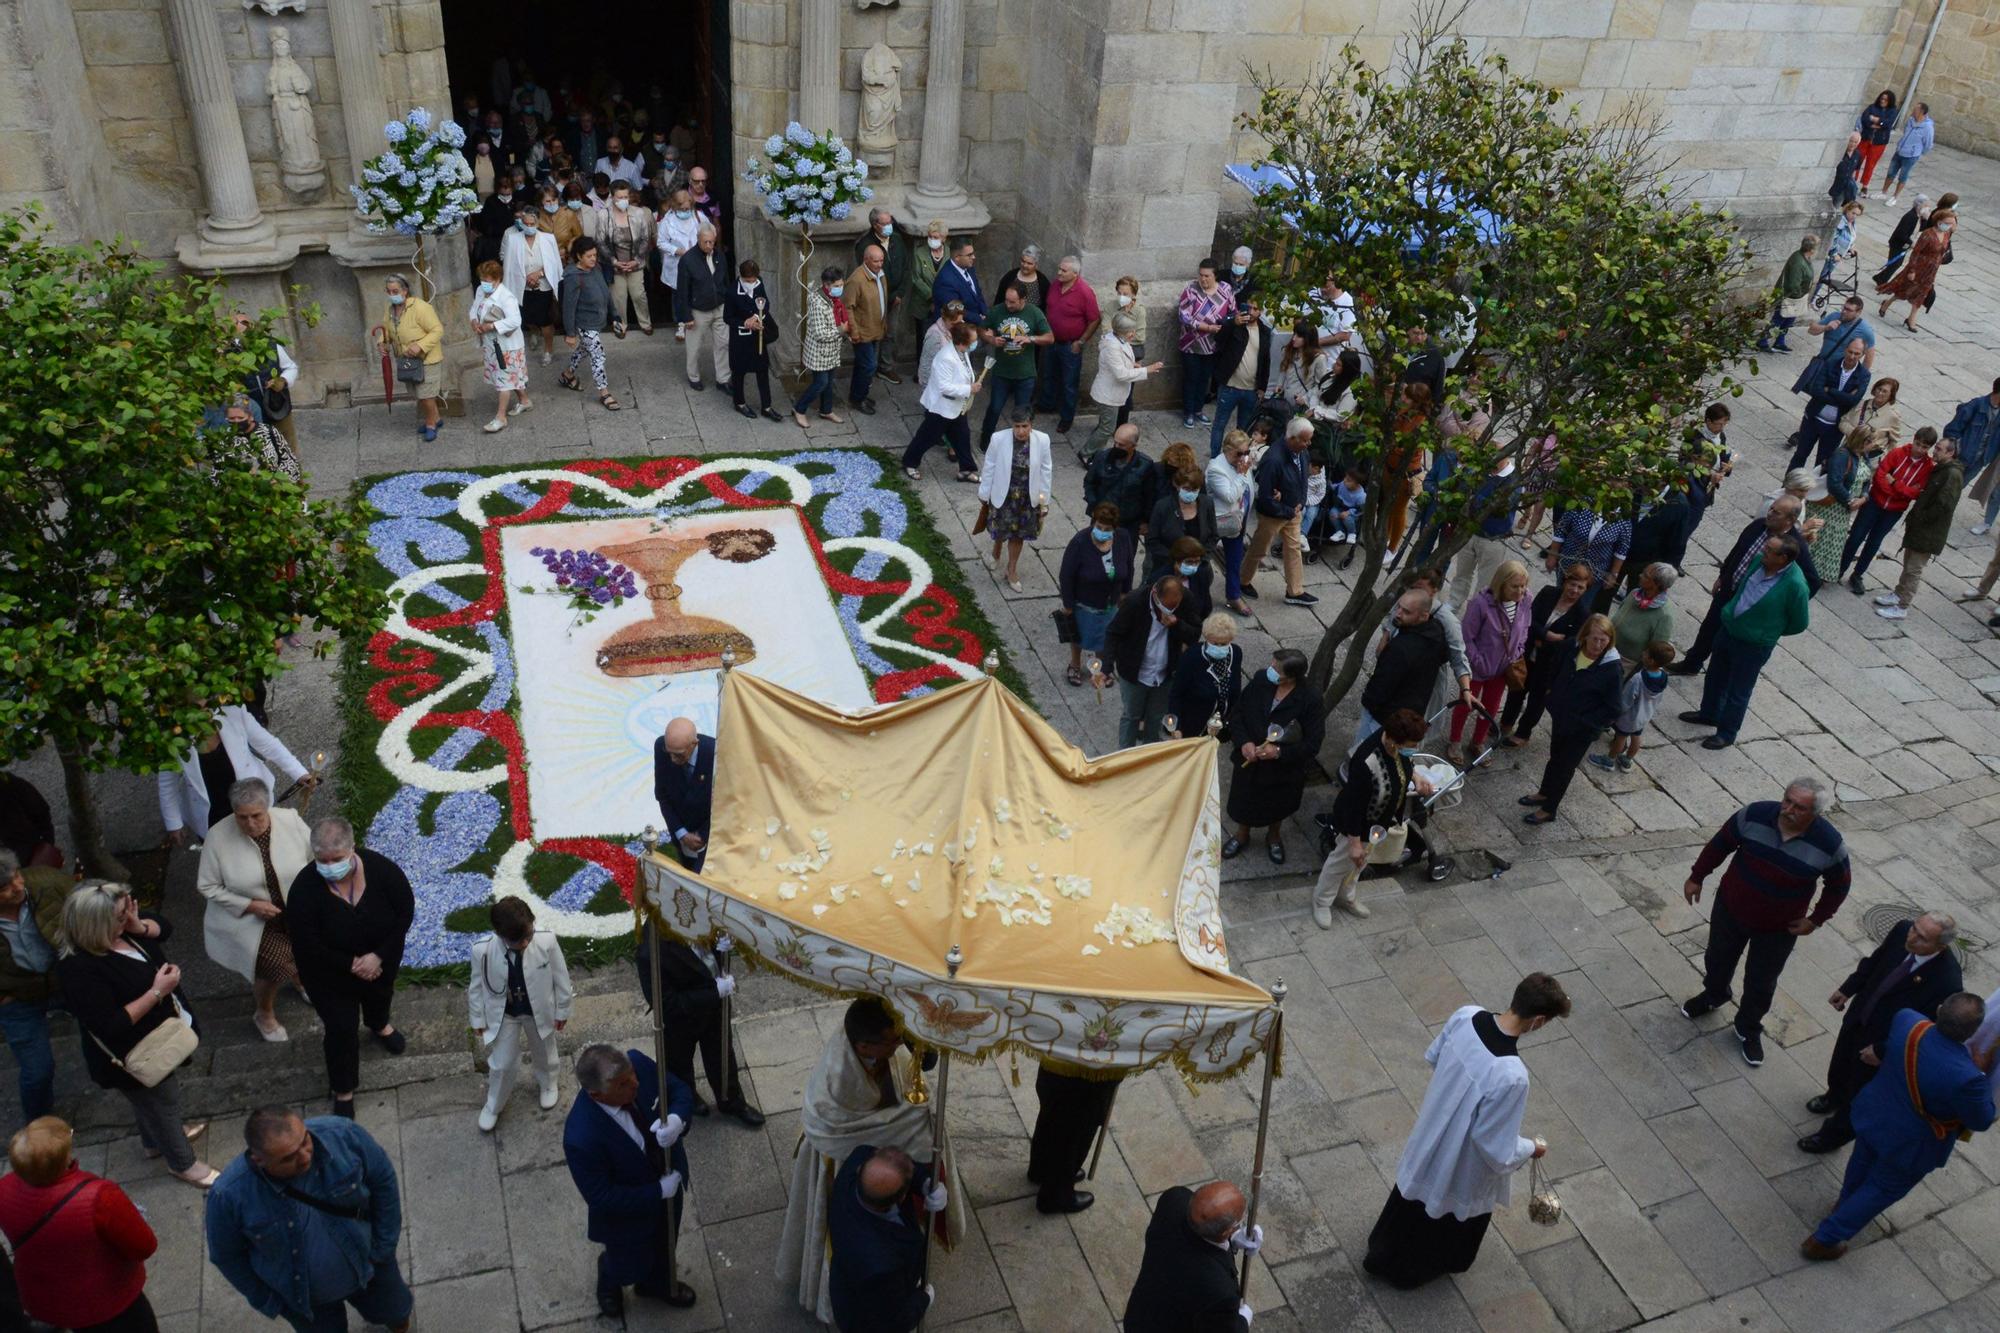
<point x="255" y="1228"/>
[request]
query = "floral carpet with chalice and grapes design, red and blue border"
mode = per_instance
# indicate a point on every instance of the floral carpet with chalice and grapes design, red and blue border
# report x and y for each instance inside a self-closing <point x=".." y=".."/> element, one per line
<point x="499" y="728"/>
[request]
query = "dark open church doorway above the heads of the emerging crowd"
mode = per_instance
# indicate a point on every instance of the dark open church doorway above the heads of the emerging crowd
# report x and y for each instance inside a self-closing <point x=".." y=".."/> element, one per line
<point x="633" y="61"/>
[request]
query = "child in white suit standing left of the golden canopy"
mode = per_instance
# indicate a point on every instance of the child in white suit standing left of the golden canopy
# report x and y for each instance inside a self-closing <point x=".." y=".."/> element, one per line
<point x="519" y="992"/>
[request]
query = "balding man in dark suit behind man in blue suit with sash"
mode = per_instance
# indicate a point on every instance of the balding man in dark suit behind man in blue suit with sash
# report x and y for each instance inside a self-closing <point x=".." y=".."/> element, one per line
<point x="1915" y="970"/>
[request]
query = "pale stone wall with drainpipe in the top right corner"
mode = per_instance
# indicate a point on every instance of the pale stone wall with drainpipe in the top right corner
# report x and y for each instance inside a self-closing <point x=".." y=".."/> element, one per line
<point x="1963" y="75"/>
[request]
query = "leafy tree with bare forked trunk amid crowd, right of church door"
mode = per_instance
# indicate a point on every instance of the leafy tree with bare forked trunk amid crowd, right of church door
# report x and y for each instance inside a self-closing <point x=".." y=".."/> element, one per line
<point x="1603" y="309"/>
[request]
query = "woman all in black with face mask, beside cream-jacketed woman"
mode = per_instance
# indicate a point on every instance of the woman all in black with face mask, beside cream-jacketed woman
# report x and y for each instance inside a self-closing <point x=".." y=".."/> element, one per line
<point x="349" y="914"/>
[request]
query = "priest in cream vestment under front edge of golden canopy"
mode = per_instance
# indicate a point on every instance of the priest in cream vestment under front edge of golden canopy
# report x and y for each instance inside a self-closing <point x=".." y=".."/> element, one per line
<point x="853" y="1100"/>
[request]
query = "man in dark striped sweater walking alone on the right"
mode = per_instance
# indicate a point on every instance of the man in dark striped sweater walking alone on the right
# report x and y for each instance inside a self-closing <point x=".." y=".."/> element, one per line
<point x="1779" y="852"/>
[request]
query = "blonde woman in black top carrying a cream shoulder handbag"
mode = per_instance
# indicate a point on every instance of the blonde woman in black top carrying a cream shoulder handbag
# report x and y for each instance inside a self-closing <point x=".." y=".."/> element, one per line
<point x="137" y="1030"/>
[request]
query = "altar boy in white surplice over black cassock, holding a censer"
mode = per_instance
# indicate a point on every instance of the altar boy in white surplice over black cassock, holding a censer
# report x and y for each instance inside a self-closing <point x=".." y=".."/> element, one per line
<point x="1467" y="1146"/>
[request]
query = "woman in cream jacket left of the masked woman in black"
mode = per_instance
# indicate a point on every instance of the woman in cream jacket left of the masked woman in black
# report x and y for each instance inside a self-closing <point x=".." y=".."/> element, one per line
<point x="247" y="864"/>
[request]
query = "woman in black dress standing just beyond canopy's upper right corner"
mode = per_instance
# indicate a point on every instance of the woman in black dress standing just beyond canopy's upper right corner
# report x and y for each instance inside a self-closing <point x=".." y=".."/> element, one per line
<point x="1275" y="736"/>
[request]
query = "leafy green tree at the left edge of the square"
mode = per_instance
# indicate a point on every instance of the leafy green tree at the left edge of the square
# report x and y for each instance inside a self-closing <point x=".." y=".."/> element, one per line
<point x="147" y="563"/>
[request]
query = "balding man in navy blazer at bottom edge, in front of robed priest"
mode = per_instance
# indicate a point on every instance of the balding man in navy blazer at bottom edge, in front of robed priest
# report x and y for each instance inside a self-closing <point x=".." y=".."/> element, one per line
<point x="877" y="1270"/>
